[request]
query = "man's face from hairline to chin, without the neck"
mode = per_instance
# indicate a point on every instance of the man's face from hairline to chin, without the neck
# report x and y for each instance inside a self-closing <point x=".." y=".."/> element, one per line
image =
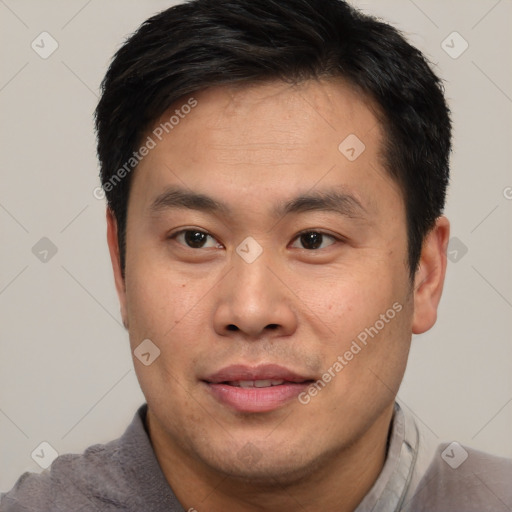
<point x="268" y="265"/>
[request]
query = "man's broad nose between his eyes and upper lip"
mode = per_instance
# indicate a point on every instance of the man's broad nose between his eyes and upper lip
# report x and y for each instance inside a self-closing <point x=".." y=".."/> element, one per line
<point x="254" y="301"/>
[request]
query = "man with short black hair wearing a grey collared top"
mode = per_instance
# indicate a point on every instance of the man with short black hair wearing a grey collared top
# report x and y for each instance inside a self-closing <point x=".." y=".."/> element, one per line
<point x="275" y="173"/>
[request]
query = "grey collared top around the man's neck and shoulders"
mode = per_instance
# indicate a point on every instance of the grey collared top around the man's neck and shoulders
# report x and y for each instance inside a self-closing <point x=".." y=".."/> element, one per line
<point x="124" y="475"/>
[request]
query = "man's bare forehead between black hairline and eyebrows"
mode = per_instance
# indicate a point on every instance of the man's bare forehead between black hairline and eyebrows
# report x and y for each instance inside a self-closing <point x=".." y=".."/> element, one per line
<point x="256" y="141"/>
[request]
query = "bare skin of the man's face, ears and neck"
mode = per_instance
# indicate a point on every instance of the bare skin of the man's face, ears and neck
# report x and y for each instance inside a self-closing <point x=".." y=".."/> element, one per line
<point x="251" y="148"/>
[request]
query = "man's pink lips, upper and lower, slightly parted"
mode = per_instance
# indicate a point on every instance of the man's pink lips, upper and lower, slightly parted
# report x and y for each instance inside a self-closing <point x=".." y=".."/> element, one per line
<point x="253" y="400"/>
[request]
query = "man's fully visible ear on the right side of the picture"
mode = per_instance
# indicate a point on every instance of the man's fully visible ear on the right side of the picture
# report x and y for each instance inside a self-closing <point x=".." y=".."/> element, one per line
<point x="429" y="278"/>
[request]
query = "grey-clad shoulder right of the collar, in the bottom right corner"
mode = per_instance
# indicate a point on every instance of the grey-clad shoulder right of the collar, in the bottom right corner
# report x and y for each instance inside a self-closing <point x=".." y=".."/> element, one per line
<point x="463" y="479"/>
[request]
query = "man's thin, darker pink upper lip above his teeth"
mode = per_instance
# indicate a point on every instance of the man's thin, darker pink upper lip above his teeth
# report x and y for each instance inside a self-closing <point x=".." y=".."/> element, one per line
<point x="239" y="372"/>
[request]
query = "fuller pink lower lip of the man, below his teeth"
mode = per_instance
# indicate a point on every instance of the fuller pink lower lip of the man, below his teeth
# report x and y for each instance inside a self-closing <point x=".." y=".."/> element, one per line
<point x="256" y="399"/>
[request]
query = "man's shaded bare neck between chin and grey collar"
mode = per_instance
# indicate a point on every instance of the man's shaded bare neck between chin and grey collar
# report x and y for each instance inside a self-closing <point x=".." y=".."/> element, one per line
<point x="338" y="482"/>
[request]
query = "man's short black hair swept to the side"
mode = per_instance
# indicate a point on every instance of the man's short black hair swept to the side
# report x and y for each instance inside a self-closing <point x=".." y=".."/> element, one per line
<point x="203" y="43"/>
